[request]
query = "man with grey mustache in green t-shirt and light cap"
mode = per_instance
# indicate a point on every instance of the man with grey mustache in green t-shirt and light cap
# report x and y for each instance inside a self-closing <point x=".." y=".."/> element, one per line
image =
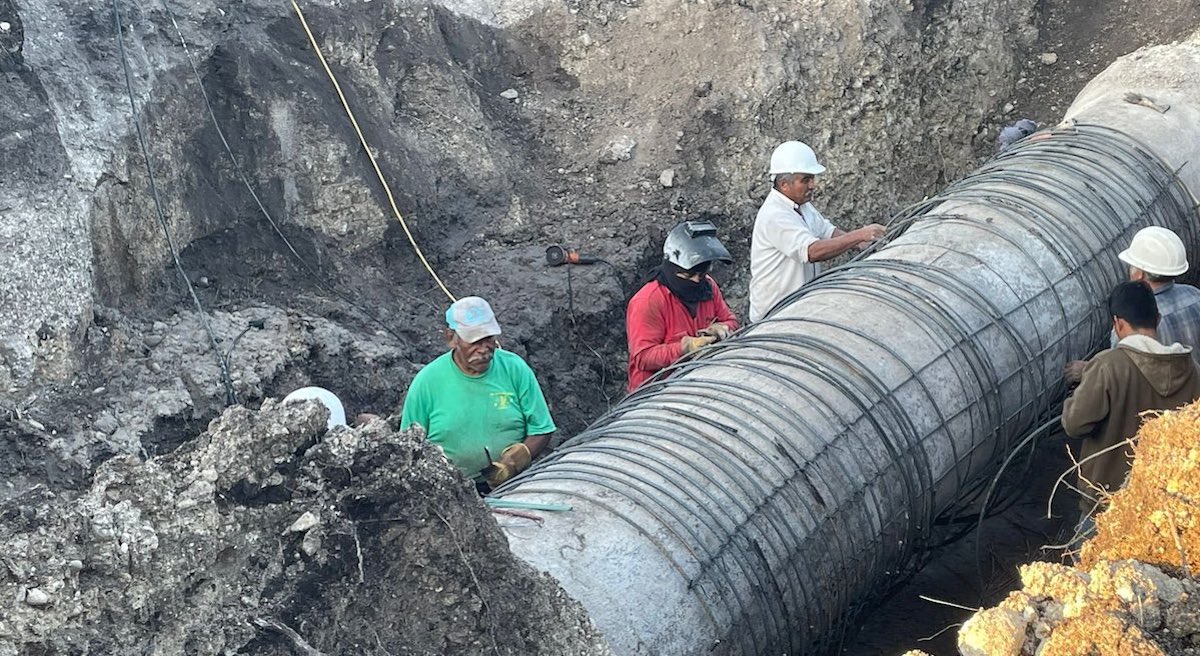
<point x="479" y="404"/>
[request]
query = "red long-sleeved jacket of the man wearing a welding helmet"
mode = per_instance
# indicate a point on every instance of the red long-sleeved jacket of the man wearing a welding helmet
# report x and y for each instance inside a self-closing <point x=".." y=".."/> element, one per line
<point x="656" y="322"/>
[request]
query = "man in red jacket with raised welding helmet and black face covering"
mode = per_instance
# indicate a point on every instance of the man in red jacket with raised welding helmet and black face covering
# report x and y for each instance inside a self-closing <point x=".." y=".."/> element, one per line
<point x="682" y="309"/>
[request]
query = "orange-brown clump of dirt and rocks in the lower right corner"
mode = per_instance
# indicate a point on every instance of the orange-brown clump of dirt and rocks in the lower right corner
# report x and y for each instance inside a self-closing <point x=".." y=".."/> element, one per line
<point x="1133" y="593"/>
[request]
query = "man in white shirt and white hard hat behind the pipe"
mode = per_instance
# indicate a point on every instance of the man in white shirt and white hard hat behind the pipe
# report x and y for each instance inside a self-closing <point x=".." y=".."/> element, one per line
<point x="790" y="236"/>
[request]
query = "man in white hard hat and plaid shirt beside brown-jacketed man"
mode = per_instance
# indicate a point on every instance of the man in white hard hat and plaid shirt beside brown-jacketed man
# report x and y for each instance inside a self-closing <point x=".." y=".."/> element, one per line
<point x="1156" y="256"/>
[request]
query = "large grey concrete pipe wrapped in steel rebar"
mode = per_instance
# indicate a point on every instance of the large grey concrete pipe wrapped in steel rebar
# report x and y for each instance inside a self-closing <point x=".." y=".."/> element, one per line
<point x="742" y="504"/>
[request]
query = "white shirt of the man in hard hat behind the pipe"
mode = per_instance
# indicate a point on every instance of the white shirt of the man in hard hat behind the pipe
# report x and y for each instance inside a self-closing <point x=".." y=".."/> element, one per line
<point x="779" y="250"/>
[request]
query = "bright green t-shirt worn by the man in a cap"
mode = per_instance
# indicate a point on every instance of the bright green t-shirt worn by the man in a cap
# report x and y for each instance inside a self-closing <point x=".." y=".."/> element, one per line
<point x="465" y="414"/>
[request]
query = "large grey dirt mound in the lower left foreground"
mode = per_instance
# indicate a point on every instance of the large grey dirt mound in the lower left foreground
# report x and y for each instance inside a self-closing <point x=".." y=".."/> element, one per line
<point x="364" y="541"/>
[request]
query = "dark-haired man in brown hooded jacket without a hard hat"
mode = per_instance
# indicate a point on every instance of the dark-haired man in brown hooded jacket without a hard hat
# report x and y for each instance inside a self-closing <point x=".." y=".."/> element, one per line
<point x="1119" y="384"/>
